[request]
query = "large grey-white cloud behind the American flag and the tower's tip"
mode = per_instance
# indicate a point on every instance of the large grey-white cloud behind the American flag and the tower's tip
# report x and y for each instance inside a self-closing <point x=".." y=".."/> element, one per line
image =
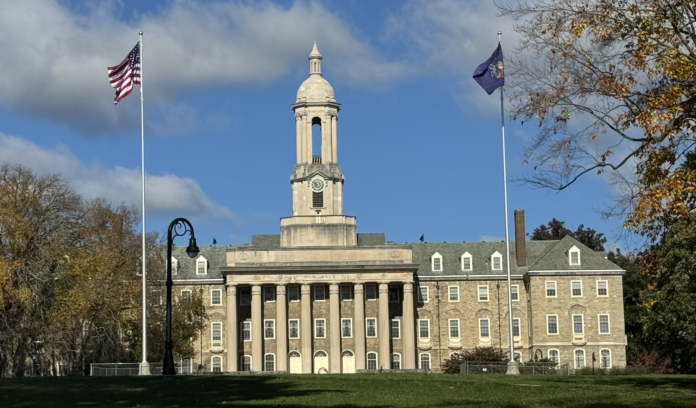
<point x="54" y="58"/>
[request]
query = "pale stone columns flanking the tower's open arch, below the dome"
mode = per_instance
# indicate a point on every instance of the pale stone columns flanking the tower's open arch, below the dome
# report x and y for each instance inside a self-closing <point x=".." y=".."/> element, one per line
<point x="303" y="124"/>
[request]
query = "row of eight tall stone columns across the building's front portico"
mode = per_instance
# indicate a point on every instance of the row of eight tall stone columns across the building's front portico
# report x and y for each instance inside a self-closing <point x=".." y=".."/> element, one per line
<point x="306" y="335"/>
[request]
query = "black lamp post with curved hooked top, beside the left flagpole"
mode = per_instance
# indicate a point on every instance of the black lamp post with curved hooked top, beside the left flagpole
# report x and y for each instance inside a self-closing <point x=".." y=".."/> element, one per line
<point x="178" y="227"/>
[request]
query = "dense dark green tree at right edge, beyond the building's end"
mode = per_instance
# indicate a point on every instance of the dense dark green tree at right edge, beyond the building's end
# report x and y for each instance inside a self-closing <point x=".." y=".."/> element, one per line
<point x="669" y="321"/>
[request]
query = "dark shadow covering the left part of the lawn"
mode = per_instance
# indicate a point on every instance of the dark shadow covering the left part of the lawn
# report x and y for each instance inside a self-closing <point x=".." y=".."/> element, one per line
<point x="178" y="391"/>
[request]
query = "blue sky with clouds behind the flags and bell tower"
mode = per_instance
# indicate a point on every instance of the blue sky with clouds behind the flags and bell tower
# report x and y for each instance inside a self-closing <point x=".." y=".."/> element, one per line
<point x="419" y="142"/>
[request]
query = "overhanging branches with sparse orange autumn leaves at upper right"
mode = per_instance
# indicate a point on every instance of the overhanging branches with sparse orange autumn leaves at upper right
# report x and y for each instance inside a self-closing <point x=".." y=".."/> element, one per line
<point x="611" y="84"/>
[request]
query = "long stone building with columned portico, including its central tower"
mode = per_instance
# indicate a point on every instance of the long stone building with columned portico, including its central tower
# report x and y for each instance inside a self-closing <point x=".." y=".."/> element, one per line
<point x="320" y="297"/>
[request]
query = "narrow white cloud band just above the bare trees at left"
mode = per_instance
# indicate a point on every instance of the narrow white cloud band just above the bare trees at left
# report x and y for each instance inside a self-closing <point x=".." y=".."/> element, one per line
<point x="166" y="194"/>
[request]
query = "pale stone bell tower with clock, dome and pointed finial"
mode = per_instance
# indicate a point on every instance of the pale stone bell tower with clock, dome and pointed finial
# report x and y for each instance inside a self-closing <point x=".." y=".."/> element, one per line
<point x="317" y="181"/>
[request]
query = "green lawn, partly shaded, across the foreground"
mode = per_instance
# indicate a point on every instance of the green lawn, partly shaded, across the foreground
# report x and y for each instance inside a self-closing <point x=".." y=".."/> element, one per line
<point x="359" y="390"/>
